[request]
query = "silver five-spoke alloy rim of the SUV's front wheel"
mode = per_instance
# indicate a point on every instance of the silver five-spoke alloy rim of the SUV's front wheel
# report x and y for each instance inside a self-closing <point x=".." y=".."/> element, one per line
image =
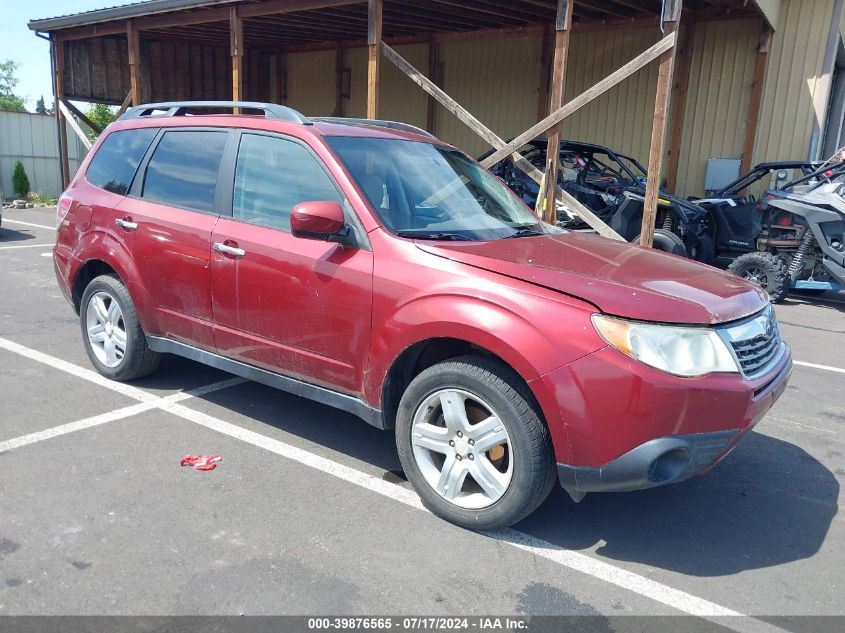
<point x="462" y="448"/>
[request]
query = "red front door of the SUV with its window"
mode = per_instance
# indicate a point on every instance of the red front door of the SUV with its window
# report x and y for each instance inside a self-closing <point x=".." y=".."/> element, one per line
<point x="298" y="306"/>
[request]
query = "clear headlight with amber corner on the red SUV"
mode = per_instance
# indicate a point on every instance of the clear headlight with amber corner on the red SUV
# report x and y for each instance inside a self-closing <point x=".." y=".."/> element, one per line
<point x="683" y="351"/>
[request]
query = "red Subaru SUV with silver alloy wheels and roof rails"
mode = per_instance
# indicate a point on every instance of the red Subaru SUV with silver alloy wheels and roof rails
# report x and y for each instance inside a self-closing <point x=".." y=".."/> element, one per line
<point x="371" y="267"/>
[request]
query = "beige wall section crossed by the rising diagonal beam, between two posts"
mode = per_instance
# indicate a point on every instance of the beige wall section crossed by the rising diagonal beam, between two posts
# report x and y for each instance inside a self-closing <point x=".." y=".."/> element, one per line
<point x="620" y="118"/>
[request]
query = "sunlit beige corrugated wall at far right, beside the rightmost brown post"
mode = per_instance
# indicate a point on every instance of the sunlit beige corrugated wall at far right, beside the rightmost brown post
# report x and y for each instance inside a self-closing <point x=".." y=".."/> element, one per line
<point x="792" y="82"/>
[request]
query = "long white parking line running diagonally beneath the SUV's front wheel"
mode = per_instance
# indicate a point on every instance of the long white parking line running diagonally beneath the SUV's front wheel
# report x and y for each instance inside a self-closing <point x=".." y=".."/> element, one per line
<point x="674" y="598"/>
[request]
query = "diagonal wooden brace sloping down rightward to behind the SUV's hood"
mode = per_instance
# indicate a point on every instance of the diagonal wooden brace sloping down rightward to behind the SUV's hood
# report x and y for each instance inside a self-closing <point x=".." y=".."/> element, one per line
<point x="488" y="135"/>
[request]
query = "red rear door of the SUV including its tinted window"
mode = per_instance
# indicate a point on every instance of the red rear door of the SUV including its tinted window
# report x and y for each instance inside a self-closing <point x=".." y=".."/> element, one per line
<point x="169" y="215"/>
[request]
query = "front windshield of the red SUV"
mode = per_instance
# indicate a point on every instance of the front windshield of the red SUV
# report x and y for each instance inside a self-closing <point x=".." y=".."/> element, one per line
<point x="433" y="192"/>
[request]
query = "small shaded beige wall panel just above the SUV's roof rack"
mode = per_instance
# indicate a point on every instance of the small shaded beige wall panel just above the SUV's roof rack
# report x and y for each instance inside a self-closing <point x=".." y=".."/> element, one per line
<point x="311" y="82"/>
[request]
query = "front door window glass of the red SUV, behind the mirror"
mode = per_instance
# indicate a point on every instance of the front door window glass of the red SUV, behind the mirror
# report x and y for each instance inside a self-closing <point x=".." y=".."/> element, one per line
<point x="272" y="176"/>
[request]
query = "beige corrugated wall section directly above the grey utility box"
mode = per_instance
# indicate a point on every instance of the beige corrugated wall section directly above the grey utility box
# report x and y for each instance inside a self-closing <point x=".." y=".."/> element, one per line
<point x="721" y="79"/>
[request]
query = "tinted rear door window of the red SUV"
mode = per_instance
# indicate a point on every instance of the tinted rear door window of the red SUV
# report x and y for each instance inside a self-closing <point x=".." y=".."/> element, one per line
<point x="183" y="169"/>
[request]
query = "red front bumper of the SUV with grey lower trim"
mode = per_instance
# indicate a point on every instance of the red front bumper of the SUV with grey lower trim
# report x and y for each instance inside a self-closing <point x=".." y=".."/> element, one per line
<point x="651" y="429"/>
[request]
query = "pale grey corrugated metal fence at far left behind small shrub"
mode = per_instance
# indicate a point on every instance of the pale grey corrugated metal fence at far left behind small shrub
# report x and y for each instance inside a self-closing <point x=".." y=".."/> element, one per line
<point x="33" y="140"/>
